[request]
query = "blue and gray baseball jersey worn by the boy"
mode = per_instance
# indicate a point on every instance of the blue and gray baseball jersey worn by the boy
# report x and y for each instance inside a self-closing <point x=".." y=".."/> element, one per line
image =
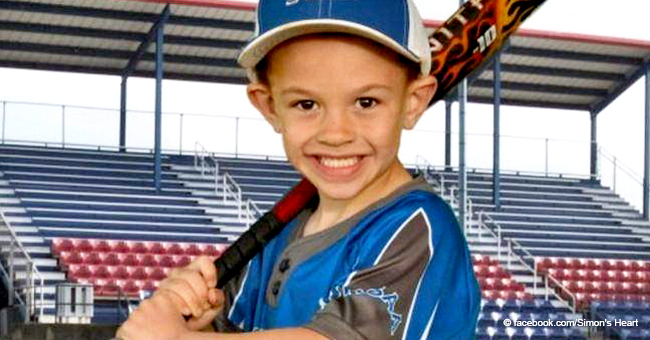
<point x="399" y="269"/>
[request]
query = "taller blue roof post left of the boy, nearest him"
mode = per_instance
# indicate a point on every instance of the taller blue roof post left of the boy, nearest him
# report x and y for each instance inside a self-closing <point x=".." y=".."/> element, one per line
<point x="158" y="120"/>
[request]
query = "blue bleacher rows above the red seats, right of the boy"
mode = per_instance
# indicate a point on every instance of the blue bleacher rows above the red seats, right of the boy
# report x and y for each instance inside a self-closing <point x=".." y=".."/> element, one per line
<point x="559" y="216"/>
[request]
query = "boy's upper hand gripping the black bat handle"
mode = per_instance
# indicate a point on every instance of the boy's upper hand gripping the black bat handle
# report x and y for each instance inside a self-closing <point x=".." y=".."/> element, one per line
<point x="192" y="289"/>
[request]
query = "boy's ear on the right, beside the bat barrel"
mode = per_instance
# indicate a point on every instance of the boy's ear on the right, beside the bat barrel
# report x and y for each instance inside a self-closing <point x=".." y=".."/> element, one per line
<point x="420" y="93"/>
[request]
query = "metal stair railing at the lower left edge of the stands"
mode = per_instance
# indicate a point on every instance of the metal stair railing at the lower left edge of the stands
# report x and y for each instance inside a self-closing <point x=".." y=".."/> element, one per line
<point x="29" y="289"/>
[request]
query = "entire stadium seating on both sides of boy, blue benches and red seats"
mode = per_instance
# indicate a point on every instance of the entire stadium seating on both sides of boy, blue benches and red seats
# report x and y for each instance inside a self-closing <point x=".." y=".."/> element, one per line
<point x="113" y="230"/>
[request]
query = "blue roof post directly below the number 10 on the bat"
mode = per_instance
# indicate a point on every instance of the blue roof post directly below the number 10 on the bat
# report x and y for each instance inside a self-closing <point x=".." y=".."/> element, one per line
<point x="496" y="146"/>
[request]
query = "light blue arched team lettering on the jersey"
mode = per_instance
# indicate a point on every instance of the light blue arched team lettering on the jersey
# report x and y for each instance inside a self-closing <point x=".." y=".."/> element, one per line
<point x="376" y="293"/>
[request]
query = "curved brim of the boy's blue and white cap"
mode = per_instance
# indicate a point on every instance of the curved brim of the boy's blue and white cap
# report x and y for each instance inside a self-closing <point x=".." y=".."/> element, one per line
<point x="257" y="49"/>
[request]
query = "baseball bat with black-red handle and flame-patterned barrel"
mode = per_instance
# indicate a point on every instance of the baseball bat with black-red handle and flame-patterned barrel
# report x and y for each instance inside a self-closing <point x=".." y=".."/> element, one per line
<point x="459" y="47"/>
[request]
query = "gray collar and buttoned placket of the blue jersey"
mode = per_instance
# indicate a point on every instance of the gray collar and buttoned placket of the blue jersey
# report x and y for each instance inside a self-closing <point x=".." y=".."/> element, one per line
<point x="302" y="248"/>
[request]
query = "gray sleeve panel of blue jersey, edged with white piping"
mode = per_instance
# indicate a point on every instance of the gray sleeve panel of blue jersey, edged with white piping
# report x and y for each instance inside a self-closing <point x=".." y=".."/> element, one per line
<point x="378" y="301"/>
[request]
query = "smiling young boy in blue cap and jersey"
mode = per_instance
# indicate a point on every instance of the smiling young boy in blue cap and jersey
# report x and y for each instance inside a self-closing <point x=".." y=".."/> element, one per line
<point x="379" y="256"/>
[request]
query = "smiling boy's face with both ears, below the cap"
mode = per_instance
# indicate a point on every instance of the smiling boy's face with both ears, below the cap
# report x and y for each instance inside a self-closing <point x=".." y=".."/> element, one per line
<point x="341" y="104"/>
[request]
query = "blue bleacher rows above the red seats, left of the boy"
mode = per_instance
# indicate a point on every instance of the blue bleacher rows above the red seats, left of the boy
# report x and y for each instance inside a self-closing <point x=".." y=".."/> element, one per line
<point x="50" y="193"/>
